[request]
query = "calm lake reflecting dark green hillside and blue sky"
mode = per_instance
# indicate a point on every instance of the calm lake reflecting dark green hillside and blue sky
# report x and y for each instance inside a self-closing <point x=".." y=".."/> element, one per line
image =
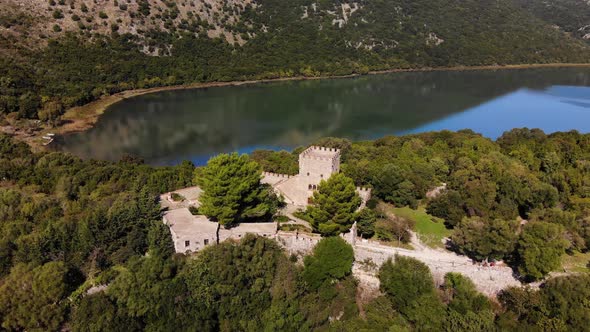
<point x="165" y="128"/>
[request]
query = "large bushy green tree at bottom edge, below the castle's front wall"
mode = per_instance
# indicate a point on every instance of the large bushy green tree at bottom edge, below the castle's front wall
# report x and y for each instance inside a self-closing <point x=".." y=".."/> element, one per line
<point x="229" y="285"/>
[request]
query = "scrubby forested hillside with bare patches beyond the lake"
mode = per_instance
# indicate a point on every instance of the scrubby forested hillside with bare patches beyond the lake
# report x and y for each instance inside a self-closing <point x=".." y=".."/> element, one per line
<point x="59" y="54"/>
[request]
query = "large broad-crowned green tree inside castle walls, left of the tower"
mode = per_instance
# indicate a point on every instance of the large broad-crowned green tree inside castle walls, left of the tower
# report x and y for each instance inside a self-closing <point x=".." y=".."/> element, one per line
<point x="232" y="191"/>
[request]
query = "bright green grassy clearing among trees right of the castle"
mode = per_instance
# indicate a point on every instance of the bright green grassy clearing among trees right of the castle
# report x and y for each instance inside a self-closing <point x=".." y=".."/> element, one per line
<point x="431" y="230"/>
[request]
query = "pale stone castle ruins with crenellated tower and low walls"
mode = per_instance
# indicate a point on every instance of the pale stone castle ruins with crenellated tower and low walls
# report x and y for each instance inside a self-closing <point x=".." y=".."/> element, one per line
<point x="192" y="233"/>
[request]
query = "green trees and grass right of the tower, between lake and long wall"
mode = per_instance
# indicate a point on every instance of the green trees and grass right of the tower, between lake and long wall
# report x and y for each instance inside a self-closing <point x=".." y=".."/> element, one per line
<point x="492" y="187"/>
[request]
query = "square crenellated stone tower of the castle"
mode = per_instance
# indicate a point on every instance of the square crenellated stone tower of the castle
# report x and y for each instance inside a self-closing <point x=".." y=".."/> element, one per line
<point x="317" y="164"/>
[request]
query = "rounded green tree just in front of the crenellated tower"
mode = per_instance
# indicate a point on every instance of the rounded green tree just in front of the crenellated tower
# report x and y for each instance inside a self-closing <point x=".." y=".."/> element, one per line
<point x="333" y="205"/>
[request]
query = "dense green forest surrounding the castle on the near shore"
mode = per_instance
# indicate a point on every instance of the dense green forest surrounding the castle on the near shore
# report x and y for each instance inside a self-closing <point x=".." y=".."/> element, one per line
<point x="68" y="224"/>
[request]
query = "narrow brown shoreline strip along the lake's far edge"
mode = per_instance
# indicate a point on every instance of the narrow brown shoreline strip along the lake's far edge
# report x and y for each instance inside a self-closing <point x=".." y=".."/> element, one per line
<point x="81" y="118"/>
